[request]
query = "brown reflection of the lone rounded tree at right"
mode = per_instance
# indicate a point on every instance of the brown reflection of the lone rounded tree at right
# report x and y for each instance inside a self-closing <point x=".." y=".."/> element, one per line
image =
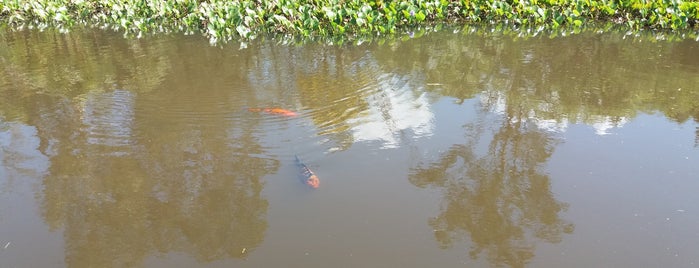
<point x="501" y="200"/>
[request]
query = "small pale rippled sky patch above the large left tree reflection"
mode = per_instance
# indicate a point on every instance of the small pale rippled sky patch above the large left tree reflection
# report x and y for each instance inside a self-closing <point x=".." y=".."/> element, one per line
<point x="108" y="117"/>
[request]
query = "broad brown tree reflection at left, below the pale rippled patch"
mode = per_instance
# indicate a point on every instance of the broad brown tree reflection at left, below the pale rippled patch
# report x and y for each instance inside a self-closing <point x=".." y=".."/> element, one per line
<point x="180" y="192"/>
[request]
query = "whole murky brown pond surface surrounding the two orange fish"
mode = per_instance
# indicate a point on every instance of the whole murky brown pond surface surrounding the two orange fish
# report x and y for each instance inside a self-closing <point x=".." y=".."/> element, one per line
<point x="446" y="150"/>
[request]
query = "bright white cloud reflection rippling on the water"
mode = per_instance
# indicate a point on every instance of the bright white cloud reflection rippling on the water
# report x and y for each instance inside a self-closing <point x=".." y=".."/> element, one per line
<point x="392" y="109"/>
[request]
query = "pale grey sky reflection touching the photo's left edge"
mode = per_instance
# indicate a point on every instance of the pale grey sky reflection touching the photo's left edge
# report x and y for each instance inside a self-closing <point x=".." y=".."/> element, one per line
<point x="19" y="151"/>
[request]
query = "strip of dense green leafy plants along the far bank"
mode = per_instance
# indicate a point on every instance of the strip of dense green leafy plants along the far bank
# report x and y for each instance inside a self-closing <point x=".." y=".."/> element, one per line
<point x="223" y="20"/>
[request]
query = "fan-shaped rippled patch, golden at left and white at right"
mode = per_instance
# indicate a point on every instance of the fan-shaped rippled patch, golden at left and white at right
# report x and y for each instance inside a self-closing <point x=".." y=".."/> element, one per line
<point x="388" y="110"/>
